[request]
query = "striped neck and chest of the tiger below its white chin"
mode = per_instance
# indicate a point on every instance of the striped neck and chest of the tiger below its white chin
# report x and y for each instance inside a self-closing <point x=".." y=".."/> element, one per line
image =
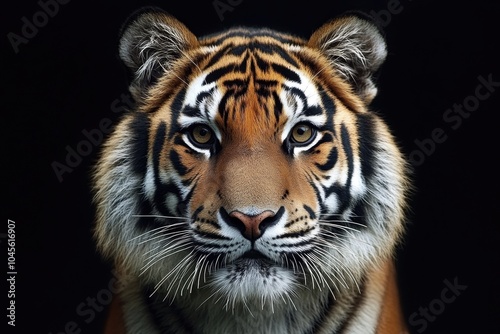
<point x="375" y="306"/>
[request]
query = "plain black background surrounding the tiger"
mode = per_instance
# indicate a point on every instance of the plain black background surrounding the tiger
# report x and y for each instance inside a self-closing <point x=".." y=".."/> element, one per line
<point x="65" y="80"/>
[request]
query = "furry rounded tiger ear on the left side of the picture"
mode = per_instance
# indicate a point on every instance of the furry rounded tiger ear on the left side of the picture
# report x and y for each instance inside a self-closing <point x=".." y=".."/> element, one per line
<point x="150" y="43"/>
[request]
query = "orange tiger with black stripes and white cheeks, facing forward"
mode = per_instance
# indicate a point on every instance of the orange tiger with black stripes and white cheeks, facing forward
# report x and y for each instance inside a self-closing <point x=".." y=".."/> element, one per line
<point x="251" y="189"/>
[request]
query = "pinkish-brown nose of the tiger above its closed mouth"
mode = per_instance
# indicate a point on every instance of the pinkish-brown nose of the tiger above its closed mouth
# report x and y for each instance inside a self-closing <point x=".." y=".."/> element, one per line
<point x="253" y="226"/>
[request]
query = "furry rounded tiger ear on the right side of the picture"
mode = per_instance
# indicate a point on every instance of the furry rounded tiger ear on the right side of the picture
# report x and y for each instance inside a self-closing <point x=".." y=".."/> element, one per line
<point x="356" y="48"/>
